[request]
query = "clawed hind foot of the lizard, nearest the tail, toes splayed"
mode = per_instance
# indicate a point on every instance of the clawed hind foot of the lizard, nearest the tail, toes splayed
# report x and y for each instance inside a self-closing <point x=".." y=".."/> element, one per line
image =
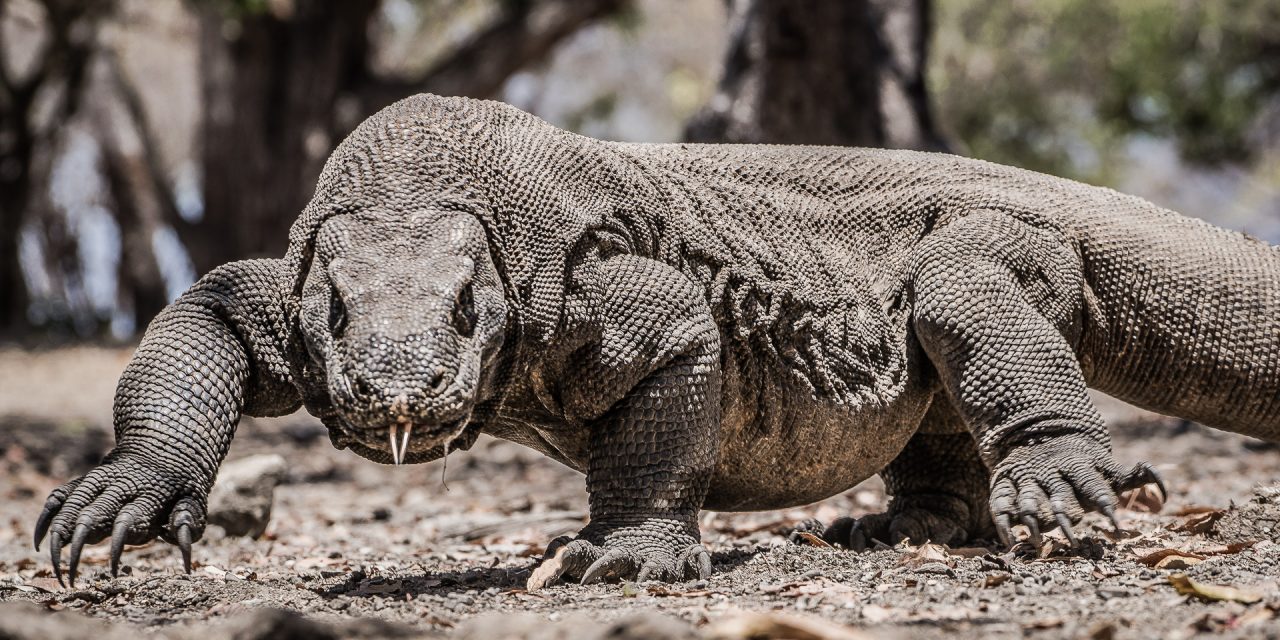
<point x="1054" y="483"/>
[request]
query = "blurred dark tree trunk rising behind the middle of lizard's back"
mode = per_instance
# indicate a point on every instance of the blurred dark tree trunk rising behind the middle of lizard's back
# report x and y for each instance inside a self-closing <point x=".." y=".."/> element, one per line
<point x="847" y="72"/>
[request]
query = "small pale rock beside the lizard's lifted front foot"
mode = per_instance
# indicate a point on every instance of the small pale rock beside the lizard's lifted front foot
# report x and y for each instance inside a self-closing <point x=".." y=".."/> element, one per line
<point x="241" y="500"/>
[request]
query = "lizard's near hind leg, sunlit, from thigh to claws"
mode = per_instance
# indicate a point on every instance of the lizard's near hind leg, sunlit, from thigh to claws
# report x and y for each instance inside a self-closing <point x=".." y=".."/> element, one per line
<point x="998" y="307"/>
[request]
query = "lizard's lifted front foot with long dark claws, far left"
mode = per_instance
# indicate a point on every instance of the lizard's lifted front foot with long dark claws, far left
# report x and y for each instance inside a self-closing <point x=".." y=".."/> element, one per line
<point x="126" y="501"/>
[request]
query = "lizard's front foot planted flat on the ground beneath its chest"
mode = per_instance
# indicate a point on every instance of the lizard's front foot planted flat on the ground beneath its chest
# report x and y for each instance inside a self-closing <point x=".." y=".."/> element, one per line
<point x="655" y="550"/>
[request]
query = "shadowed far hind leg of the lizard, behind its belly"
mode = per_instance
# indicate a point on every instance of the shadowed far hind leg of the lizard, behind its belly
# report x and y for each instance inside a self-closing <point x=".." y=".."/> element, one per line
<point x="940" y="488"/>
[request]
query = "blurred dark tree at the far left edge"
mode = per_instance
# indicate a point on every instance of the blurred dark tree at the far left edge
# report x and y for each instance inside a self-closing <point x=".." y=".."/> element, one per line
<point x="36" y="103"/>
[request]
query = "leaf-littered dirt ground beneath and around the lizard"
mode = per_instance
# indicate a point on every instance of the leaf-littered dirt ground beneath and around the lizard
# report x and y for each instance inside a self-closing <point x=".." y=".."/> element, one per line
<point x="356" y="550"/>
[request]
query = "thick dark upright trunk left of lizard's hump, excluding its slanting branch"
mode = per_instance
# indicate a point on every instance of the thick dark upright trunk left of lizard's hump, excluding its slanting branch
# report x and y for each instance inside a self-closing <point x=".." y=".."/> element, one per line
<point x="272" y="86"/>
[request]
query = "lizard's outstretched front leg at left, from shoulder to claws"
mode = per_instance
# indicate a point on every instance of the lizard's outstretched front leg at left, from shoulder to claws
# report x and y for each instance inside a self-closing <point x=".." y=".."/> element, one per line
<point x="213" y="354"/>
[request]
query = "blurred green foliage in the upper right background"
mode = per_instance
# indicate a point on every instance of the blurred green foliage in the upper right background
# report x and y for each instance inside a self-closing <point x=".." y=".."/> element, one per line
<point x="1062" y="85"/>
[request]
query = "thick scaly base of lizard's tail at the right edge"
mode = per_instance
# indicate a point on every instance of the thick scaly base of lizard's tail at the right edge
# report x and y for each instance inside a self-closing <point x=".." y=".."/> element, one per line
<point x="1183" y="318"/>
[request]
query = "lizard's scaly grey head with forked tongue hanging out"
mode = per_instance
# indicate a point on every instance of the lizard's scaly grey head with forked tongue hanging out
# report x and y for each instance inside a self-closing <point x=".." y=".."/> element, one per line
<point x="405" y="316"/>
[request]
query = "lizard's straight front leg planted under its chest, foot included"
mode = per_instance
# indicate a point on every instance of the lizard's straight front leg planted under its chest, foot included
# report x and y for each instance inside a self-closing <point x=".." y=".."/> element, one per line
<point x="652" y="452"/>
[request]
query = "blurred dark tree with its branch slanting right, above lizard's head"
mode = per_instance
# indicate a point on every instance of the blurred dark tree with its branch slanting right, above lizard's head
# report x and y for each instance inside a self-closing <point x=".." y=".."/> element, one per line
<point x="284" y="81"/>
